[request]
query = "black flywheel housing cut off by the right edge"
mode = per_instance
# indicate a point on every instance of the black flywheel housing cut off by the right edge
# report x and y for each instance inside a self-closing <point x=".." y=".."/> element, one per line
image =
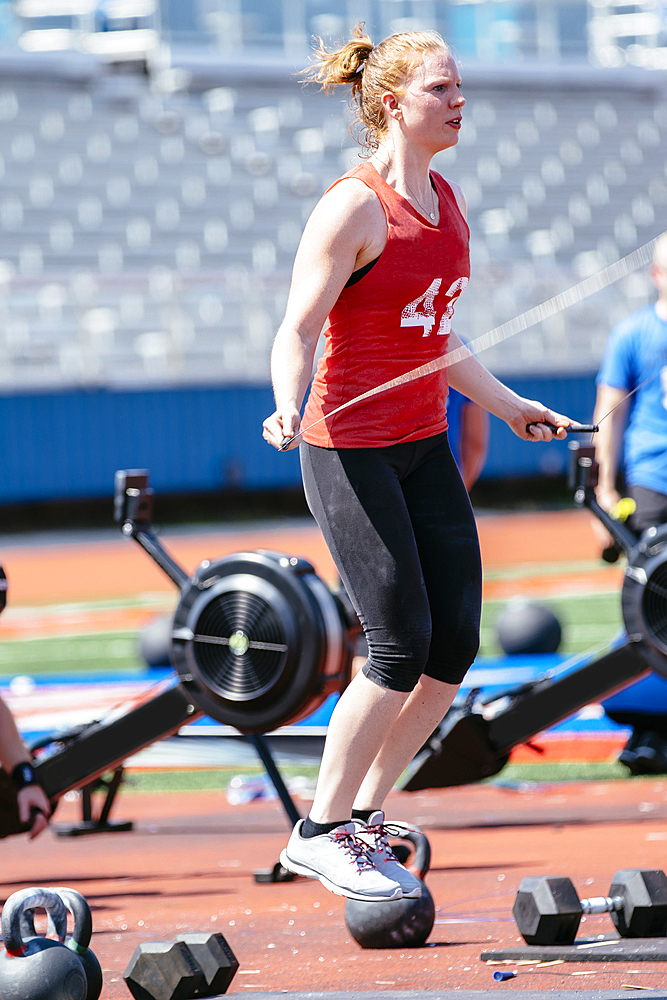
<point x="644" y="596"/>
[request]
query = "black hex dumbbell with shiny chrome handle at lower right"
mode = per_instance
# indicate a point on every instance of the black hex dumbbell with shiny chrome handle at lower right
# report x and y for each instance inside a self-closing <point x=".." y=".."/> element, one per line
<point x="547" y="909"/>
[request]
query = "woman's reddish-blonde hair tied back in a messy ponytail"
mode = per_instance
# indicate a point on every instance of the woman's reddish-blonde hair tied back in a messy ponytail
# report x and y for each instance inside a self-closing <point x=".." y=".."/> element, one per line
<point x="372" y="70"/>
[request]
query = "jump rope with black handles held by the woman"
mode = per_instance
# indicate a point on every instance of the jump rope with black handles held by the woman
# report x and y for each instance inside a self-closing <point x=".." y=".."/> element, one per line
<point x="556" y="304"/>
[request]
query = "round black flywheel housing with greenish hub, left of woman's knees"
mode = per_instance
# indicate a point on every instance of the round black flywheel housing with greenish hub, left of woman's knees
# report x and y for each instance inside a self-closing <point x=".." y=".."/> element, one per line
<point x="259" y="640"/>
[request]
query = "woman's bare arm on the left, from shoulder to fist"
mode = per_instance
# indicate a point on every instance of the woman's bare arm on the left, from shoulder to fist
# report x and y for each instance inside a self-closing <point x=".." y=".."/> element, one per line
<point x="344" y="232"/>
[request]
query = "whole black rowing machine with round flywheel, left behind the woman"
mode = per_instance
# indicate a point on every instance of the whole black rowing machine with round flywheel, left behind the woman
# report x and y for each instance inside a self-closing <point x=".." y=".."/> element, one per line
<point x="258" y="641"/>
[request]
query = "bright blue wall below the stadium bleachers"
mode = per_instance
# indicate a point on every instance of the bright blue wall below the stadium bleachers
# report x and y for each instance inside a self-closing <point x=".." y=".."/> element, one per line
<point x="67" y="445"/>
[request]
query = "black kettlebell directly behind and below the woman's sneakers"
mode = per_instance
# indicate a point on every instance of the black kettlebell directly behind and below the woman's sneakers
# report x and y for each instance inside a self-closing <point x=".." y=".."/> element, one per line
<point x="396" y="923"/>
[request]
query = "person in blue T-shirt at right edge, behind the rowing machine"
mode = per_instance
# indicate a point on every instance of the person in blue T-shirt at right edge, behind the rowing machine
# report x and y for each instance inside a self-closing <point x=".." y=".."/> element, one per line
<point x="636" y="358"/>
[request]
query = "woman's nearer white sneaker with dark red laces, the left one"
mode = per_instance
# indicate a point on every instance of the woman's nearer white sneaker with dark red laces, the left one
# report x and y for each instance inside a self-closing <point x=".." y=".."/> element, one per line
<point x="340" y="860"/>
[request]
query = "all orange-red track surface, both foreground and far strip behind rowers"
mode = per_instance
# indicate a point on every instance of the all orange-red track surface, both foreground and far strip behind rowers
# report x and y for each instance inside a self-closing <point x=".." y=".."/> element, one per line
<point x="188" y="864"/>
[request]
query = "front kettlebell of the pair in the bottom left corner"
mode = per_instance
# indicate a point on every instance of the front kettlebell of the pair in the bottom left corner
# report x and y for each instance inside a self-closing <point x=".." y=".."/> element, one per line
<point x="38" y="968"/>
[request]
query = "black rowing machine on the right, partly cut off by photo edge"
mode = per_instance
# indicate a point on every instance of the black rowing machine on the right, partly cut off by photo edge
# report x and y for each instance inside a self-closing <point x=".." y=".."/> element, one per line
<point x="475" y="741"/>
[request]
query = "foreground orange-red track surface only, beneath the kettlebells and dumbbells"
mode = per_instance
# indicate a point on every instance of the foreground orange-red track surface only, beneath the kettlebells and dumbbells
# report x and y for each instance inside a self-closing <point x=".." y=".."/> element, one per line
<point x="188" y="867"/>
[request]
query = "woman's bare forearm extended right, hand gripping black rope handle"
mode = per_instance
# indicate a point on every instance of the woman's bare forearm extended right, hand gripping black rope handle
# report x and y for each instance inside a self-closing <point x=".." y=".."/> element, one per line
<point x="472" y="379"/>
